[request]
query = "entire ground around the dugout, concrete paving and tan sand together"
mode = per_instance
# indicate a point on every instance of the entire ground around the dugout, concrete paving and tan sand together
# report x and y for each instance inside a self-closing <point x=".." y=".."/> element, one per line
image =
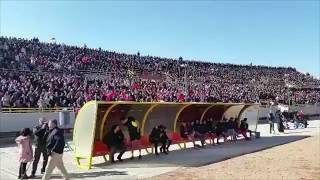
<point x="297" y="160"/>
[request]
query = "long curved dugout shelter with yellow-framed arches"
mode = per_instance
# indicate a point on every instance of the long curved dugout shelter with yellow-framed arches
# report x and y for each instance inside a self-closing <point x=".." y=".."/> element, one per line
<point x="96" y="118"/>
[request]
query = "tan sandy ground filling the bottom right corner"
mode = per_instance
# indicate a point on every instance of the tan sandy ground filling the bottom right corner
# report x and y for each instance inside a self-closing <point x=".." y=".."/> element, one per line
<point x="296" y="160"/>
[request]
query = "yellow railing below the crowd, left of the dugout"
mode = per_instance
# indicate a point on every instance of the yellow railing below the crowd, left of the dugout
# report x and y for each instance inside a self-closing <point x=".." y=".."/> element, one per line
<point x="36" y="110"/>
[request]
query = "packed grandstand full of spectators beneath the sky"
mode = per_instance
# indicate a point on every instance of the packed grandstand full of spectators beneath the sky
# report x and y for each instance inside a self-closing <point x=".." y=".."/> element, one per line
<point x="38" y="74"/>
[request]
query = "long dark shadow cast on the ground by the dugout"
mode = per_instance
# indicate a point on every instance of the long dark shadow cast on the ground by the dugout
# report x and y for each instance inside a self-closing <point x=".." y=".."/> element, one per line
<point x="198" y="157"/>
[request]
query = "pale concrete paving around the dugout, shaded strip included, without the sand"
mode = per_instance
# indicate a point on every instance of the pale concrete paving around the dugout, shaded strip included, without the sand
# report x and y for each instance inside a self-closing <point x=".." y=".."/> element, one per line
<point x="151" y="165"/>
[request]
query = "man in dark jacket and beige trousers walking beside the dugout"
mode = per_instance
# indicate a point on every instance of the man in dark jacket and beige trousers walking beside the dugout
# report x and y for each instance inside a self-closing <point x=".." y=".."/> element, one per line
<point x="55" y="146"/>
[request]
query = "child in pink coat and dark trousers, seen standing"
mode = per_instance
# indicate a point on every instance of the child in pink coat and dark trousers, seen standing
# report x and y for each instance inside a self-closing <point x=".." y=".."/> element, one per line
<point x="25" y="151"/>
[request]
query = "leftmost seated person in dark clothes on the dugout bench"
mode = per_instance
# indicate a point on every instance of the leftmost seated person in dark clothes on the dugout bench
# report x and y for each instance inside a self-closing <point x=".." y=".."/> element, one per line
<point x="115" y="141"/>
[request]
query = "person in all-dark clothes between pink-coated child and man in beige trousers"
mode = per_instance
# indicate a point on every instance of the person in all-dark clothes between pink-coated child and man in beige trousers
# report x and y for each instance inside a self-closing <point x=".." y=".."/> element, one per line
<point x="40" y="133"/>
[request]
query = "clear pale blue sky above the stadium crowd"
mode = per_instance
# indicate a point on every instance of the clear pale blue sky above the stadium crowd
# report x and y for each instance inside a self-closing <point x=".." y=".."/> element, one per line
<point x="274" y="33"/>
